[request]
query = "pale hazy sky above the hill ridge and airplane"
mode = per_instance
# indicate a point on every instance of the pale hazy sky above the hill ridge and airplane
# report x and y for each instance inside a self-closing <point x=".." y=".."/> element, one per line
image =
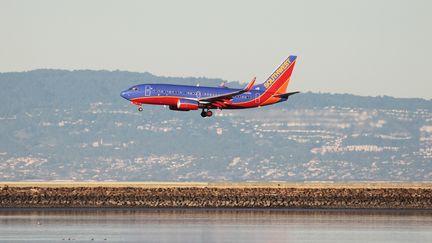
<point x="360" y="47"/>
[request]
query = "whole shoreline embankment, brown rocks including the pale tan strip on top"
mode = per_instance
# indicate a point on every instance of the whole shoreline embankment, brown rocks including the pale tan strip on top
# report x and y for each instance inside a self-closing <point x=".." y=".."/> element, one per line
<point x="246" y="195"/>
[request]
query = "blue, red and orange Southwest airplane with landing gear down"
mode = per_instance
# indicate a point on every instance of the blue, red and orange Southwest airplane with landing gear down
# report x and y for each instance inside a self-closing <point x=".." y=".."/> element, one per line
<point x="186" y="97"/>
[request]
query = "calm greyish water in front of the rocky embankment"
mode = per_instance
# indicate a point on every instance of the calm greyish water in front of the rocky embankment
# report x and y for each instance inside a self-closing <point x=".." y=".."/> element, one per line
<point x="215" y="226"/>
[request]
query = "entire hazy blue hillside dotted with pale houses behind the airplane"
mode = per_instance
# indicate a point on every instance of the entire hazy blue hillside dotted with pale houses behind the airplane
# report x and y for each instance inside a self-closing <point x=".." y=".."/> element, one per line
<point x="58" y="124"/>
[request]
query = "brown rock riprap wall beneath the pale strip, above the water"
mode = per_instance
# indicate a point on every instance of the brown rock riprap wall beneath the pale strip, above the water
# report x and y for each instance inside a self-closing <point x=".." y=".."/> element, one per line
<point x="214" y="197"/>
